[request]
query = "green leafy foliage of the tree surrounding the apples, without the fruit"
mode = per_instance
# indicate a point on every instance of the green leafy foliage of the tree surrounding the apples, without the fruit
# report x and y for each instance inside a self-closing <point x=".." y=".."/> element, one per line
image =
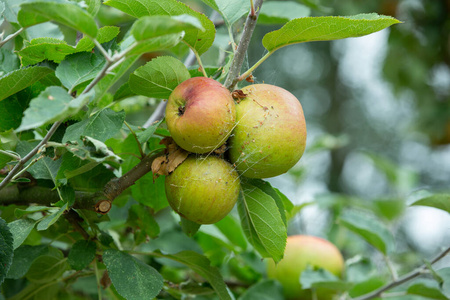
<point x="82" y="216"/>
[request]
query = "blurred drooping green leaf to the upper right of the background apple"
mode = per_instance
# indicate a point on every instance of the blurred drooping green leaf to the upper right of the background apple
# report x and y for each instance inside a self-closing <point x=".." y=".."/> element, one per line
<point x="370" y="229"/>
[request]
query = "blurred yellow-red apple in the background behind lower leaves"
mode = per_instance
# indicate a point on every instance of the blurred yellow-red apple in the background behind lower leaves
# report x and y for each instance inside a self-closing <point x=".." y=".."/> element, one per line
<point x="301" y="251"/>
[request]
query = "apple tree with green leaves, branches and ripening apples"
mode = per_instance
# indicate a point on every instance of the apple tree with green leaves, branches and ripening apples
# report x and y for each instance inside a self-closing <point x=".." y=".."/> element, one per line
<point x="96" y="205"/>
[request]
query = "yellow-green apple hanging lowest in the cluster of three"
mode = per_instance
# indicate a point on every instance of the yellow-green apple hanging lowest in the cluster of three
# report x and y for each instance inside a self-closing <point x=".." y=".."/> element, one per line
<point x="203" y="189"/>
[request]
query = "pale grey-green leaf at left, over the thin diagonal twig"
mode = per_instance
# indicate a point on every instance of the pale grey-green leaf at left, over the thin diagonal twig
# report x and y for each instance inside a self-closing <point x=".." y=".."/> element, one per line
<point x="53" y="104"/>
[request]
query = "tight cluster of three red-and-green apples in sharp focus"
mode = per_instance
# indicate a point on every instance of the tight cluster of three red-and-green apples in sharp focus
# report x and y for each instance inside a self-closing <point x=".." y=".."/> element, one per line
<point x="264" y="134"/>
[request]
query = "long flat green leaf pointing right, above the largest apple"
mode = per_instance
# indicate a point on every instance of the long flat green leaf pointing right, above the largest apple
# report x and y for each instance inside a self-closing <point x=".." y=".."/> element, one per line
<point x="311" y="29"/>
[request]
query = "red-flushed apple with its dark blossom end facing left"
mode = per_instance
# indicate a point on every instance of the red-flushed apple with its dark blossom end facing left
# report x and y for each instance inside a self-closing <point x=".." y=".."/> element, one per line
<point x="200" y="114"/>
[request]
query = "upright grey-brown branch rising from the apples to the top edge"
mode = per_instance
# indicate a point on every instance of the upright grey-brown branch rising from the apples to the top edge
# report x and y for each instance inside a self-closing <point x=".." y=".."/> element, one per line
<point x="236" y="65"/>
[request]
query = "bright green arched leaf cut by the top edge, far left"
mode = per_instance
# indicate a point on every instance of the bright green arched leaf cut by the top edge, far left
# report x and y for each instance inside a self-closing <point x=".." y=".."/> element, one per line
<point x="66" y="13"/>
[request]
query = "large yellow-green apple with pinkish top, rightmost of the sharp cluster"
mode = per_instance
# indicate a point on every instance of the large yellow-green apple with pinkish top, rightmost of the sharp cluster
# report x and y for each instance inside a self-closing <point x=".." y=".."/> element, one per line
<point x="270" y="133"/>
